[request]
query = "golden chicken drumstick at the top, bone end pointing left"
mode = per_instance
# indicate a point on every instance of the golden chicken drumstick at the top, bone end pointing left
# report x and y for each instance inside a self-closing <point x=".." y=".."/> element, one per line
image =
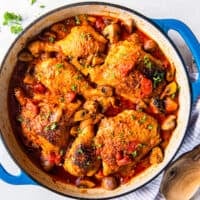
<point x="81" y="42"/>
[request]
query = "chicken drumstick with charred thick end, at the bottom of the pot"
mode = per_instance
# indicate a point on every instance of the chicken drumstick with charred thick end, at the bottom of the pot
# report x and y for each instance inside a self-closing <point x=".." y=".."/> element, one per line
<point x="81" y="159"/>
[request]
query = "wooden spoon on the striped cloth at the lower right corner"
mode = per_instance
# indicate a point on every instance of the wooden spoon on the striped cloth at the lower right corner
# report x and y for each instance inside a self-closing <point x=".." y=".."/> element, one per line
<point x="181" y="180"/>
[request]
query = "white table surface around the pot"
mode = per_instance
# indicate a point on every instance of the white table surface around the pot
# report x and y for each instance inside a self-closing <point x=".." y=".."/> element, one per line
<point x="185" y="10"/>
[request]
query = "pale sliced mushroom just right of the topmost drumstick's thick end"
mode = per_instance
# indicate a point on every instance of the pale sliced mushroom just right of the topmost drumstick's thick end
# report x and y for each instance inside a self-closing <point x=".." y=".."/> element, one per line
<point x="112" y="32"/>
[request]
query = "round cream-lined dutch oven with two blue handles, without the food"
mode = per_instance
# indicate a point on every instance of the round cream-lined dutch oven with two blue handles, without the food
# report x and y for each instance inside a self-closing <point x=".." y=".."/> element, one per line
<point x="157" y="30"/>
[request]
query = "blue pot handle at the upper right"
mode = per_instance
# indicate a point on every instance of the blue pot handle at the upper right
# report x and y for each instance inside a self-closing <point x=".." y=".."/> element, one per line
<point x="192" y="43"/>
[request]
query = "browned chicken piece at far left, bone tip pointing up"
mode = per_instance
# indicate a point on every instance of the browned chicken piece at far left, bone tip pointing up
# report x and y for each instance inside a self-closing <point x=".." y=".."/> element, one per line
<point x="40" y="125"/>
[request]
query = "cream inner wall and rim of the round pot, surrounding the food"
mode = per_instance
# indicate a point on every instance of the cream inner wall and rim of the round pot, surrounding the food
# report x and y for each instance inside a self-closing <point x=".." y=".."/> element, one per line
<point x="149" y="29"/>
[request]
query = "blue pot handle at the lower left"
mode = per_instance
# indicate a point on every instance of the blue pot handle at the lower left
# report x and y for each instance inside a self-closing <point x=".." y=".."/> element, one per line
<point x="21" y="179"/>
